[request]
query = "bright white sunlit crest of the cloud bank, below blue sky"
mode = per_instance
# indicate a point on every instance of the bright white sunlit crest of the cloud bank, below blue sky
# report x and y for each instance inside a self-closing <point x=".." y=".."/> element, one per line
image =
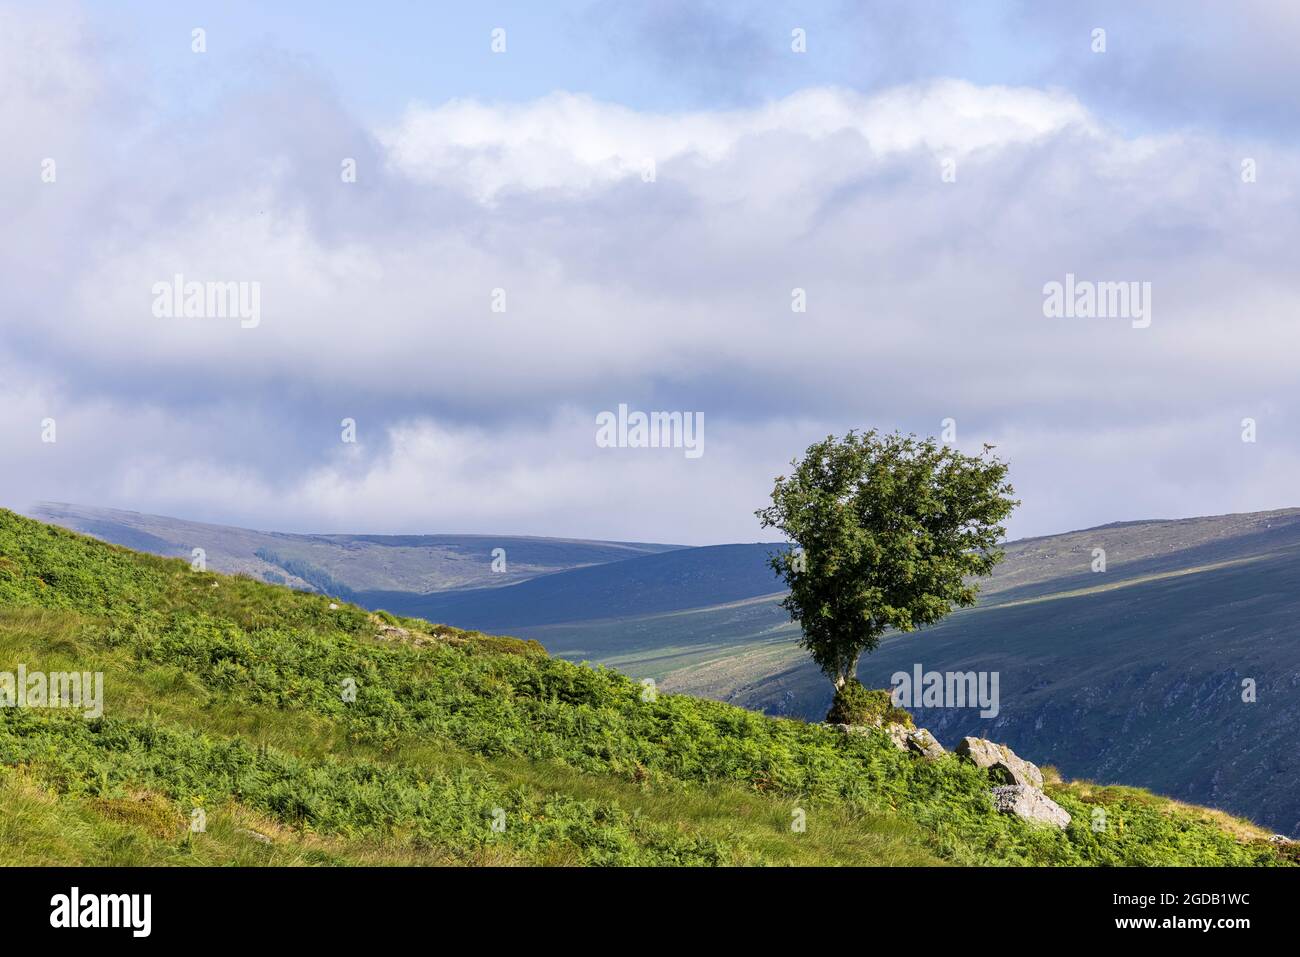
<point x="575" y="144"/>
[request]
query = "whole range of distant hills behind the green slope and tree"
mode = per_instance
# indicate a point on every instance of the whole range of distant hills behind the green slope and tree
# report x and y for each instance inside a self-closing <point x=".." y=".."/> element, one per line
<point x="1126" y="675"/>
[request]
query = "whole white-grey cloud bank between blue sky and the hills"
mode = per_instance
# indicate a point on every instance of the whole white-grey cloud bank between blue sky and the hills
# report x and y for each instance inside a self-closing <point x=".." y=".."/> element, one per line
<point x="925" y="302"/>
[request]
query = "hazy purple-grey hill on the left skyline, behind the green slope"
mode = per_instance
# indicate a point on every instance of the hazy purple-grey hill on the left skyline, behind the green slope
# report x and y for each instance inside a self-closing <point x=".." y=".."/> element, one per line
<point x="344" y="564"/>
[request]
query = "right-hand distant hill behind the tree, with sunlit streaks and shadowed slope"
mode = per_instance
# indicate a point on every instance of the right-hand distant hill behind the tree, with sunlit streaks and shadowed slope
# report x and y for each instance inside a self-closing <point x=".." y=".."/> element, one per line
<point x="1128" y="675"/>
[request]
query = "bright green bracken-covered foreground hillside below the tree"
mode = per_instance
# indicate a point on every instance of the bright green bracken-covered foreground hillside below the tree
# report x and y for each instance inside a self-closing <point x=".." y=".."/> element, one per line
<point x="224" y="694"/>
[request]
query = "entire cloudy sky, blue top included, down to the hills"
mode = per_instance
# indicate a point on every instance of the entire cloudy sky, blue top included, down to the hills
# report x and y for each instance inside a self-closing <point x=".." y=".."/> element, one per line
<point x="921" y="172"/>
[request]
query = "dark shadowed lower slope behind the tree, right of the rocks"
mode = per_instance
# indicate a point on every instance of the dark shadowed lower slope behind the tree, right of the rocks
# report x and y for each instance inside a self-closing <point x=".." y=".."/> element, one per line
<point x="1138" y="683"/>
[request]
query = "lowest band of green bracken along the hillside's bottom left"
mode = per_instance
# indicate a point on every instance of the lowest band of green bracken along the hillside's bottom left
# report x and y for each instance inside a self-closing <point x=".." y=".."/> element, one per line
<point x="349" y="798"/>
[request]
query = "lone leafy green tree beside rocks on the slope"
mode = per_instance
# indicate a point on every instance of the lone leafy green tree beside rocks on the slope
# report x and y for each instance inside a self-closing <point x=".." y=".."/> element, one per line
<point x="891" y="530"/>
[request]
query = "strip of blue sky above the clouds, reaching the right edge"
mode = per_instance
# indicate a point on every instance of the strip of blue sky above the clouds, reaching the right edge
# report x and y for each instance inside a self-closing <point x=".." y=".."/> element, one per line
<point x="1232" y="67"/>
